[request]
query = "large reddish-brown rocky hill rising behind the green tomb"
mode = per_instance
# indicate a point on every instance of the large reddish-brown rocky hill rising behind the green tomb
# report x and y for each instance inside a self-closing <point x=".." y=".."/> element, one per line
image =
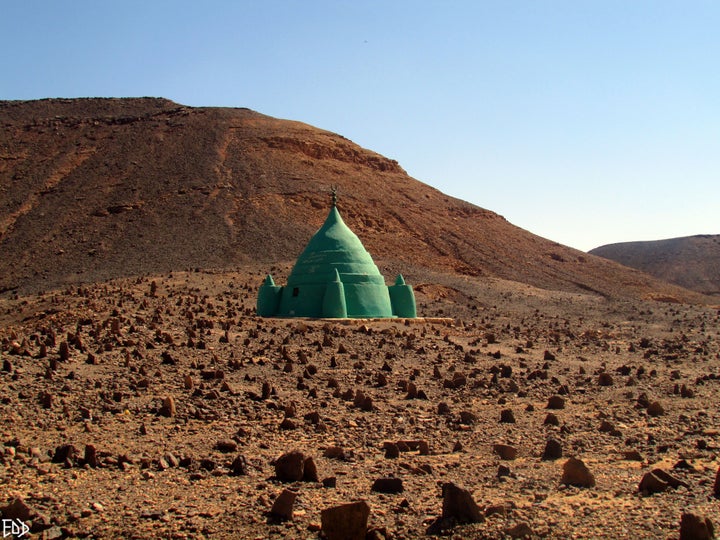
<point x="92" y="189"/>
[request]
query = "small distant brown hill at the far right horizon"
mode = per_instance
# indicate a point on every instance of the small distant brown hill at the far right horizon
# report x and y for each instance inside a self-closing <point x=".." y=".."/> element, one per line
<point x="692" y="262"/>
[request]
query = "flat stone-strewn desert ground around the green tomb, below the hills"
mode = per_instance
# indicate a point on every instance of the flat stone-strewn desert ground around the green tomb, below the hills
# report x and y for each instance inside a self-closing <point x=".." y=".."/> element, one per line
<point x="162" y="407"/>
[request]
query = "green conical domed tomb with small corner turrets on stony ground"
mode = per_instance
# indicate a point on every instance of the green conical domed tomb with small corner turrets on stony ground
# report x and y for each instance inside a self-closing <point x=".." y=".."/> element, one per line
<point x="335" y="277"/>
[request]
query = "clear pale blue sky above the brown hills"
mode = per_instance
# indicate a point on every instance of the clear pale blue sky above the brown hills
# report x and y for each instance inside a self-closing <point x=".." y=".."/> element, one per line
<point x="584" y="121"/>
